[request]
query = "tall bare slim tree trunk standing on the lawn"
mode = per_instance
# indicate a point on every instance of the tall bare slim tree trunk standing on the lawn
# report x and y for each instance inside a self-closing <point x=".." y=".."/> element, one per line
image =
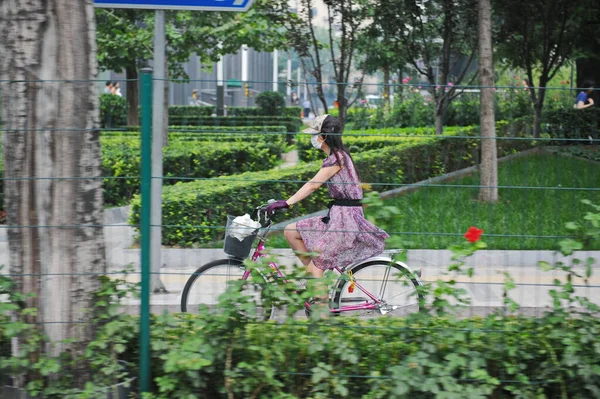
<point x="489" y="163"/>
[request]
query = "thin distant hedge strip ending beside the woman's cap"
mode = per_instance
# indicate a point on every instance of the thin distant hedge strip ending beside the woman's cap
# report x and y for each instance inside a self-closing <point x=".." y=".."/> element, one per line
<point x="292" y="124"/>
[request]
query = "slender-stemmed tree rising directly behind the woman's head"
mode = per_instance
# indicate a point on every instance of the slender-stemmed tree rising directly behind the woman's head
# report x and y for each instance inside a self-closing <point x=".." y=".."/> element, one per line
<point x="346" y="20"/>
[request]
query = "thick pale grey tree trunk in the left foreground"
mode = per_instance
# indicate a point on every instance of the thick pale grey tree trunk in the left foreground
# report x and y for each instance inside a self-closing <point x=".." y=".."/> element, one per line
<point x="53" y="162"/>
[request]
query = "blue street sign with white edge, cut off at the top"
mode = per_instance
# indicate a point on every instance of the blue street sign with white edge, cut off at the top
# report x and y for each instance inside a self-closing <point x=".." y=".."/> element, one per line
<point x="198" y="5"/>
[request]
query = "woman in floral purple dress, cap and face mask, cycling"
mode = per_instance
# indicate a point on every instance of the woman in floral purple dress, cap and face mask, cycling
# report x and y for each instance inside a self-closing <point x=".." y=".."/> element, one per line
<point x="344" y="236"/>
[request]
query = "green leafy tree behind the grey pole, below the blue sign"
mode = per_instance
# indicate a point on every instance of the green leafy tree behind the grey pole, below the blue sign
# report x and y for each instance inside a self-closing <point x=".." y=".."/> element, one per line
<point x="125" y="40"/>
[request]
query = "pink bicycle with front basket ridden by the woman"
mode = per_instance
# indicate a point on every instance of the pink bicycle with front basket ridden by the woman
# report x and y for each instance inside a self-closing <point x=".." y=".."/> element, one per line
<point x="351" y="293"/>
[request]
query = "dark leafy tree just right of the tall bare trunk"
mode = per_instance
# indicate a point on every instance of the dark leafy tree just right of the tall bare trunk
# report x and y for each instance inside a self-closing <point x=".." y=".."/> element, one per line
<point x="539" y="36"/>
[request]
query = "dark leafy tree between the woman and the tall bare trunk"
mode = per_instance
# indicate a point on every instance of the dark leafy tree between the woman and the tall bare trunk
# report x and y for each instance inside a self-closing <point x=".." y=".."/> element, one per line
<point x="437" y="38"/>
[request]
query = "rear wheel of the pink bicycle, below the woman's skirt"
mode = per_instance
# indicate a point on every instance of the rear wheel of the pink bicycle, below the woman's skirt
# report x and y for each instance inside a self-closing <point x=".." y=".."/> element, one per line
<point x="390" y="282"/>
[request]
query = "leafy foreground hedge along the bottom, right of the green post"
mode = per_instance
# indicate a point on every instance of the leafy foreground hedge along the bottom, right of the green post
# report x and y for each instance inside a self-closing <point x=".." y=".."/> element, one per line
<point x="498" y="356"/>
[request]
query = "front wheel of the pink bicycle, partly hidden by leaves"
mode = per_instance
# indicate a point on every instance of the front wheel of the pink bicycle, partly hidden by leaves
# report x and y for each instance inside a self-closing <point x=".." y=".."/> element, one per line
<point x="207" y="283"/>
